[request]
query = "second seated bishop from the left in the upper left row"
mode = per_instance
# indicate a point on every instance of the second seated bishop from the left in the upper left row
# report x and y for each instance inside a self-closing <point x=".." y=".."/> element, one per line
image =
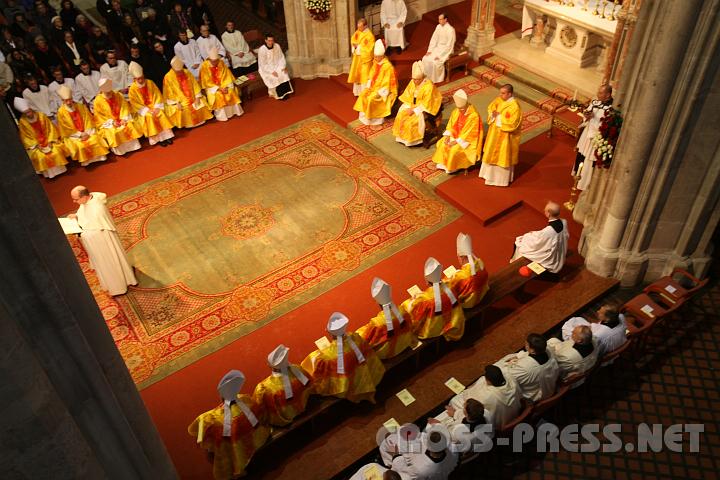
<point x="77" y="127"/>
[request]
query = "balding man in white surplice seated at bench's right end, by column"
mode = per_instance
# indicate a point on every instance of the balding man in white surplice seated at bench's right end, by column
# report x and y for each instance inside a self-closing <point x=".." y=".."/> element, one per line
<point x="548" y="246"/>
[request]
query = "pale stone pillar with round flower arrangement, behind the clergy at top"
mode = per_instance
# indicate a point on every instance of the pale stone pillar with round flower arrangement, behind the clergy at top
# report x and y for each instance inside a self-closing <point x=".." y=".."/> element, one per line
<point x="319" y="49"/>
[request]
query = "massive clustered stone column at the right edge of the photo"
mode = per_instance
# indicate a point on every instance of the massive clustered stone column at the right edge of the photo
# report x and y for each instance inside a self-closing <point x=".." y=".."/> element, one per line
<point x="659" y="207"/>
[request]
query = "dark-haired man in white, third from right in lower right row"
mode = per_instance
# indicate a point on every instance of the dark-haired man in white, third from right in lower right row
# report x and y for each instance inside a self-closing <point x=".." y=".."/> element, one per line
<point x="534" y="369"/>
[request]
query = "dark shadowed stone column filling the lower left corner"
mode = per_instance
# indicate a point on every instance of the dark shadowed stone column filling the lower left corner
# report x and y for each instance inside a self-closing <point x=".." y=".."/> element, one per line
<point x="68" y="406"/>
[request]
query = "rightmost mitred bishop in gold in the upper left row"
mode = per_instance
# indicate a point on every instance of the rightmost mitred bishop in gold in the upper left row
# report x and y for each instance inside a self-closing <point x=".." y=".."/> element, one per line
<point x="219" y="84"/>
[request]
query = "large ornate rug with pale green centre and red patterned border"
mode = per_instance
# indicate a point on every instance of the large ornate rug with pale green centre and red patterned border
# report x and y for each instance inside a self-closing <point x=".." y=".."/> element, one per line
<point x="227" y="245"/>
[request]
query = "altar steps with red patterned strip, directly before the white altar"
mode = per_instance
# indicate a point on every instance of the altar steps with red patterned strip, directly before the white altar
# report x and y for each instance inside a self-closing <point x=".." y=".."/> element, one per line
<point x="529" y="86"/>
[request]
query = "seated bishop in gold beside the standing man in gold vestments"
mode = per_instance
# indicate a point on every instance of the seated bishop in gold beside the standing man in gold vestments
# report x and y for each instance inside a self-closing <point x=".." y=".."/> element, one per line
<point x="459" y="147"/>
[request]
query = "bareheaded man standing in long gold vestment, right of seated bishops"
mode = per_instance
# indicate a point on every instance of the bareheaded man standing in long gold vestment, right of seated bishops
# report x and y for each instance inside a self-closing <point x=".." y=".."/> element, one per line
<point x="502" y="146"/>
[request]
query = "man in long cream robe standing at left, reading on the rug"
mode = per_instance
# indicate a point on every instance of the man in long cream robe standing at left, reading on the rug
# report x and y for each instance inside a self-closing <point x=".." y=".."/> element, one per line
<point x="102" y="242"/>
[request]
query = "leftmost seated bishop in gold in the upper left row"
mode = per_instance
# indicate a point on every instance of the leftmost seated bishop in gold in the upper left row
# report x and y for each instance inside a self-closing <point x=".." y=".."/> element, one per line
<point x="41" y="140"/>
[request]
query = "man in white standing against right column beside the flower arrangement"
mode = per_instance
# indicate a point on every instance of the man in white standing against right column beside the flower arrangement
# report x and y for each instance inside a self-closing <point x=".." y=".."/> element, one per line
<point x="593" y="115"/>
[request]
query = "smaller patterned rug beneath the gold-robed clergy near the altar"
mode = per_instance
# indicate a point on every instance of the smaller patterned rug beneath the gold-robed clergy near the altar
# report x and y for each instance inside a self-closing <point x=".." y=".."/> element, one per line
<point x="419" y="160"/>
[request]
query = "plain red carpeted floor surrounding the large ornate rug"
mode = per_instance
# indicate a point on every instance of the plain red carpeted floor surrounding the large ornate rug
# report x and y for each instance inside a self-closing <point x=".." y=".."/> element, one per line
<point x="173" y="402"/>
